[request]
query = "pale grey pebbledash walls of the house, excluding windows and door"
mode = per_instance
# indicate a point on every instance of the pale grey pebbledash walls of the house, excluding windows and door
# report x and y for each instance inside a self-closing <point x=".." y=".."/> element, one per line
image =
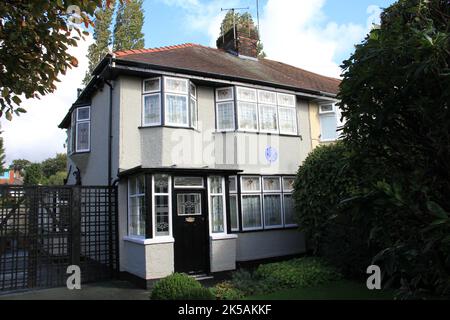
<point x="164" y="147"/>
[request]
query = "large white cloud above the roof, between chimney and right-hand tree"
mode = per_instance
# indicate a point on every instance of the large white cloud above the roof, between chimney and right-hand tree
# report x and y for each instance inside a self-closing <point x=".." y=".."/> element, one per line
<point x="297" y="33"/>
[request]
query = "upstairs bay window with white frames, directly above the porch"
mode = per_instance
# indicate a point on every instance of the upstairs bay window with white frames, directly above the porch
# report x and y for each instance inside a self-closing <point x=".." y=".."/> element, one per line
<point x="179" y="102"/>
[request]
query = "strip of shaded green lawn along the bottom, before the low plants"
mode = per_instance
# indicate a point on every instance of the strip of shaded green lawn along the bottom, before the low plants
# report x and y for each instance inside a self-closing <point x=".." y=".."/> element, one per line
<point x="338" y="290"/>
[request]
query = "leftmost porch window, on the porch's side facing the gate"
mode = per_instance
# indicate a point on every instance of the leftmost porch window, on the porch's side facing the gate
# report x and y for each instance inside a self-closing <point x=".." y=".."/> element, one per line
<point x="136" y="206"/>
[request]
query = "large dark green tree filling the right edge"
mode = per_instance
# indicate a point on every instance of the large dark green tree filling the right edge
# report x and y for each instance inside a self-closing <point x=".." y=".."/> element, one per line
<point x="395" y="96"/>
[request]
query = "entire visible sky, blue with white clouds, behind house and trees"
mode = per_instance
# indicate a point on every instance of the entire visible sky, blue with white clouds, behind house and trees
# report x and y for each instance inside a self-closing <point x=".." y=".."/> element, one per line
<point x="312" y="34"/>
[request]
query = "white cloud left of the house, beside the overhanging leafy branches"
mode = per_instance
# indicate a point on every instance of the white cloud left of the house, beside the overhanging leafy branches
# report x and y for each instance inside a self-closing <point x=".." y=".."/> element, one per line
<point x="35" y="135"/>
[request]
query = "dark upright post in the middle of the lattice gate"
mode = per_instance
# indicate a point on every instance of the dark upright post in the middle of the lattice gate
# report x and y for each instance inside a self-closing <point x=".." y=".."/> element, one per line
<point x="76" y="226"/>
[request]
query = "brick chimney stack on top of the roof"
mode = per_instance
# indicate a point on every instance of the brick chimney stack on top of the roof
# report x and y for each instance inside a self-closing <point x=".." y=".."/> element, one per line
<point x="245" y="43"/>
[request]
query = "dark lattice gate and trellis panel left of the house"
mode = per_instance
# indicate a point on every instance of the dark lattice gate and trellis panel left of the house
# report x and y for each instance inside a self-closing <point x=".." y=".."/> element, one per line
<point x="43" y="230"/>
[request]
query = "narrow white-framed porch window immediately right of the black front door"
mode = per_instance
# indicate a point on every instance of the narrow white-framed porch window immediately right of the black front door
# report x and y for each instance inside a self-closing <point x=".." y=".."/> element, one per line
<point x="217" y="204"/>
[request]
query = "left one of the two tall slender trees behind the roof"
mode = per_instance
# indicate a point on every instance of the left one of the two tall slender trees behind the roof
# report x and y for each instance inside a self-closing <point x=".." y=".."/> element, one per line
<point x="102" y="38"/>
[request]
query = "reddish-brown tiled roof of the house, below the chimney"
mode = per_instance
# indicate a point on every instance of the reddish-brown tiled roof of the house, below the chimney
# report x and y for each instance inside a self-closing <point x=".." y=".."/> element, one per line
<point x="198" y="58"/>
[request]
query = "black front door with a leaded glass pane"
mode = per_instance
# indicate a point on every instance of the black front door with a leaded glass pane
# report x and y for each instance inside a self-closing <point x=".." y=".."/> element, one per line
<point x="190" y="232"/>
